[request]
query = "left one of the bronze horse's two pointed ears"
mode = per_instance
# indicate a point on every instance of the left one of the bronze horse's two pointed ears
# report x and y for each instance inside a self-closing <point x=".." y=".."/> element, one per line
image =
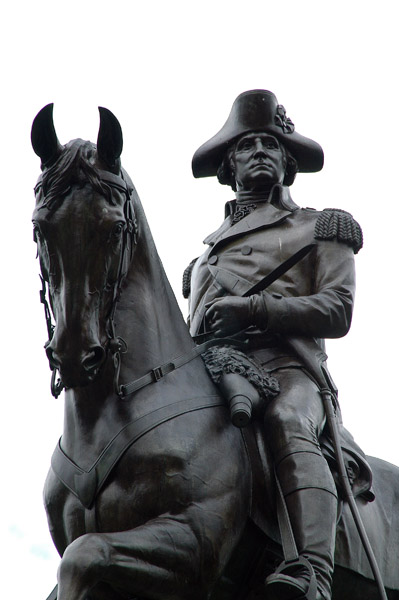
<point x="44" y="138"/>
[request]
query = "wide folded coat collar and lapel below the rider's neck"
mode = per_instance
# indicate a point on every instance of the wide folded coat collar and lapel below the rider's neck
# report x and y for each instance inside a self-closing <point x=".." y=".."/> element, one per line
<point x="278" y="207"/>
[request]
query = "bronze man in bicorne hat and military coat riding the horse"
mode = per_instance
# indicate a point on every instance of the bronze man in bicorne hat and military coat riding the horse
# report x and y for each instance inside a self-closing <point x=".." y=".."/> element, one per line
<point x="258" y="153"/>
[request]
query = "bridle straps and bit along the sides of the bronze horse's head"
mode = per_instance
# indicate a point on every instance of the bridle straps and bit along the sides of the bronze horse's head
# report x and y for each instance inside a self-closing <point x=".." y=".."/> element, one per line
<point x="116" y="344"/>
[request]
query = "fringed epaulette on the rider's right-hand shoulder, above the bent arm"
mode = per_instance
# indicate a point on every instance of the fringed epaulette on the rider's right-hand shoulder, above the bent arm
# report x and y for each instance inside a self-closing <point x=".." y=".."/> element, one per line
<point x="336" y="224"/>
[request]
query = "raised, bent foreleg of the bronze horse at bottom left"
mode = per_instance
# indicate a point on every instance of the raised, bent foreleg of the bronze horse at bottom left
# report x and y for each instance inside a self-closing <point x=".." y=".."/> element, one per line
<point x="164" y="559"/>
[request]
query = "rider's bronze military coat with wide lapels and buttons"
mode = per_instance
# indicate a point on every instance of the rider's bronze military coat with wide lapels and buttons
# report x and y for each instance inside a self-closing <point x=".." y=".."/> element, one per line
<point x="314" y="298"/>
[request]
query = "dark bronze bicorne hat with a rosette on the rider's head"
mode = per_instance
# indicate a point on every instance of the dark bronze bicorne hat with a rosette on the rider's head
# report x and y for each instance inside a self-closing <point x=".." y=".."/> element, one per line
<point x="257" y="110"/>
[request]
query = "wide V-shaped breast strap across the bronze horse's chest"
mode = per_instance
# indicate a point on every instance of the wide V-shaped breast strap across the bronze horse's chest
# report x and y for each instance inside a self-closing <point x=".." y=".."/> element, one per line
<point x="85" y="485"/>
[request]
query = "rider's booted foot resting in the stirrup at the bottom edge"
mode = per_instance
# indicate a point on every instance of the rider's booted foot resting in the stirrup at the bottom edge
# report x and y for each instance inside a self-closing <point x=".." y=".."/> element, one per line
<point x="283" y="586"/>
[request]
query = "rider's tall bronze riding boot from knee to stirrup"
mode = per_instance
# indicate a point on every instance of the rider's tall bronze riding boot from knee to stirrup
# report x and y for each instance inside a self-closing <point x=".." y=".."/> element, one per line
<point x="313" y="514"/>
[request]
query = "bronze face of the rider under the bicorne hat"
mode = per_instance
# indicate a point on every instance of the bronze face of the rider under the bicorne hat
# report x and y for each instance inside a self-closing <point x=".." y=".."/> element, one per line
<point x="258" y="162"/>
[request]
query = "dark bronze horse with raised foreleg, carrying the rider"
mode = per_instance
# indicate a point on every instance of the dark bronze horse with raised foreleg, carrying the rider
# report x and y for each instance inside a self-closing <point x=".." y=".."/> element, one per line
<point x="166" y="519"/>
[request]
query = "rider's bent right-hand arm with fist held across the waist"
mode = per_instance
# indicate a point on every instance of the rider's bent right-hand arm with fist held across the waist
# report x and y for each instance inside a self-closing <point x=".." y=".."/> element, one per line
<point x="326" y="313"/>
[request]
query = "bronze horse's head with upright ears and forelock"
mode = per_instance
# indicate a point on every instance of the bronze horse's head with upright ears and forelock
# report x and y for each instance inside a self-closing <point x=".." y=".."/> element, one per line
<point x="84" y="227"/>
